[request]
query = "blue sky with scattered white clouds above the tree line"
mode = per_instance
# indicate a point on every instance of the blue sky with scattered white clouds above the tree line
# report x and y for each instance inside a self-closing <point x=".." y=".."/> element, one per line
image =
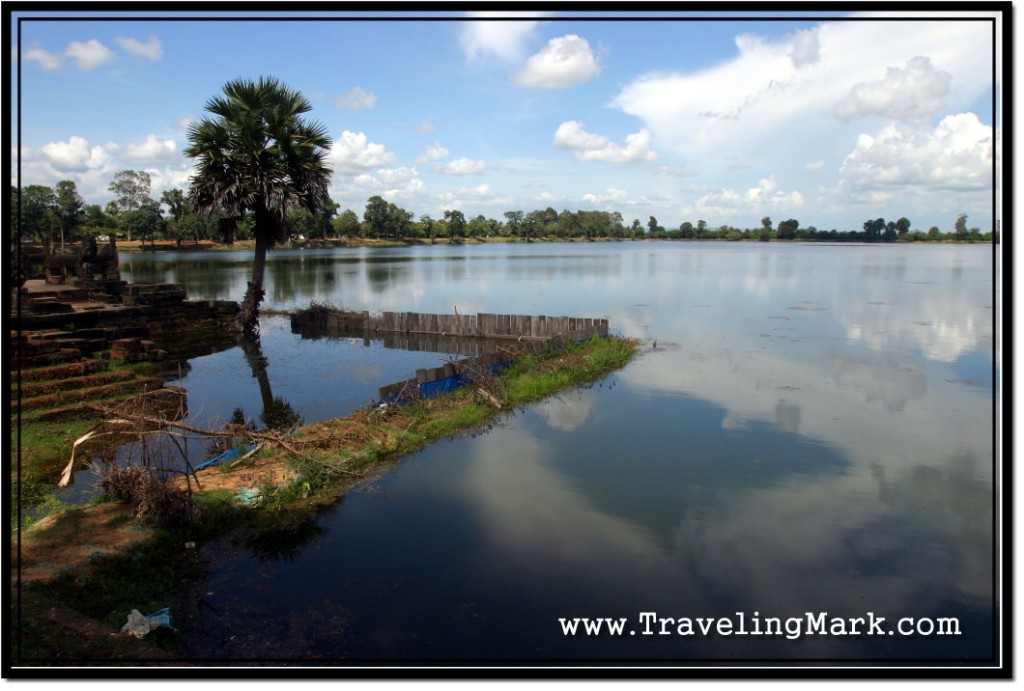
<point x="831" y="121"/>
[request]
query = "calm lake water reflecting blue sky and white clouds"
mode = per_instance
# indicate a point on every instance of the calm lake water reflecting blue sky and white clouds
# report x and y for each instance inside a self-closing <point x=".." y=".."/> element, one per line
<point x="814" y="433"/>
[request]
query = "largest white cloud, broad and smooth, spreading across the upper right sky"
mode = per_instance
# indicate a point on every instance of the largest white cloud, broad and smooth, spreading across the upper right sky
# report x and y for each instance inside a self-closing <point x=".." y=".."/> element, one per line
<point x="776" y="93"/>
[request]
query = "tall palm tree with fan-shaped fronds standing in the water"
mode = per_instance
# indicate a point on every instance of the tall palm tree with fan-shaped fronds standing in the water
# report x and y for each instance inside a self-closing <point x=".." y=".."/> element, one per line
<point x="258" y="156"/>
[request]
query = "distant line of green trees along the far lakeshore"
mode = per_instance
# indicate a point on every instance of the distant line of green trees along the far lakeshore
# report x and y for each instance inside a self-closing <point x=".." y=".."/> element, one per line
<point x="59" y="215"/>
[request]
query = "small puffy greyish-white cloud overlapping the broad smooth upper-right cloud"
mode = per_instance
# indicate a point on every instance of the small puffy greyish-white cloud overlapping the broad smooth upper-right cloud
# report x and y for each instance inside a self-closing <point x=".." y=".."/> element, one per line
<point x="917" y="92"/>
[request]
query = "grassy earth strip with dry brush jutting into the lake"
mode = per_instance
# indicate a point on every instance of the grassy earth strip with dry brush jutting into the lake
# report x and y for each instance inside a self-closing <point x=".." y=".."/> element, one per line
<point x="113" y="556"/>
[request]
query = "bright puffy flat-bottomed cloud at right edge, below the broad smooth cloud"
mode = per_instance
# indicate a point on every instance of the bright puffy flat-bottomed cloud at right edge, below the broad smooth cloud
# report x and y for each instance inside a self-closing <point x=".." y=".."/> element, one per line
<point x="957" y="155"/>
